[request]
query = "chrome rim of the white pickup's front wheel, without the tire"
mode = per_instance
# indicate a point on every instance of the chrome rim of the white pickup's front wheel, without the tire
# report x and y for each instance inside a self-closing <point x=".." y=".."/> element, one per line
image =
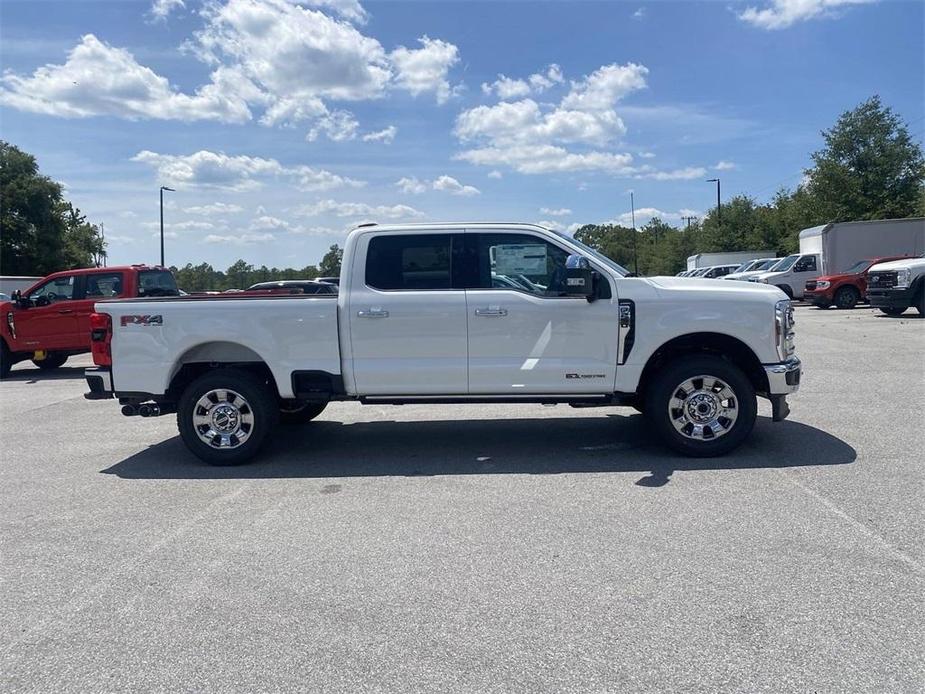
<point x="703" y="408"/>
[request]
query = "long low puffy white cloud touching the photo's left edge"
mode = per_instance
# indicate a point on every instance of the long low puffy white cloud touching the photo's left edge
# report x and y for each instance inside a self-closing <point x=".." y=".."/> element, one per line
<point x="98" y="79"/>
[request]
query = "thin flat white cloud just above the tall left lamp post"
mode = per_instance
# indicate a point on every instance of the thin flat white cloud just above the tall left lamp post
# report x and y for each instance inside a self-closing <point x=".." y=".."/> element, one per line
<point x="219" y="170"/>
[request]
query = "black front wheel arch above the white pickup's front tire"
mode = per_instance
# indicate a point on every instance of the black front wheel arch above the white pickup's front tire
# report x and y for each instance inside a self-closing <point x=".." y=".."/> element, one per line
<point x="716" y="344"/>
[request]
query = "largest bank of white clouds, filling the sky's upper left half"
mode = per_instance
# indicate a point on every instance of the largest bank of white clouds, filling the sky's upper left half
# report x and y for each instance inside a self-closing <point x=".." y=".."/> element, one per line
<point x="282" y="59"/>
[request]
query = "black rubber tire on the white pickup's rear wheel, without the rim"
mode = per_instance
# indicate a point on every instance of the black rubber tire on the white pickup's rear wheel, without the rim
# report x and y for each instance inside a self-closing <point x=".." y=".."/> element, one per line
<point x="260" y="405"/>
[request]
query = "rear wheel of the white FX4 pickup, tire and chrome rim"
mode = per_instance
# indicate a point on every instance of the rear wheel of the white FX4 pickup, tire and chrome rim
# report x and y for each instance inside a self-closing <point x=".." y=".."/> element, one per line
<point x="224" y="416"/>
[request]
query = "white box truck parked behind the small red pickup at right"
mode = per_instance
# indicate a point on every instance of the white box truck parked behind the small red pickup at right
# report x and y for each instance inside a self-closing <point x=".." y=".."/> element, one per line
<point x="833" y="248"/>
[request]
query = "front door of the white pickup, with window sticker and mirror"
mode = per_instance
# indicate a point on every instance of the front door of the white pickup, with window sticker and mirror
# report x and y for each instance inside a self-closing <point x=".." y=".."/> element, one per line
<point x="525" y="335"/>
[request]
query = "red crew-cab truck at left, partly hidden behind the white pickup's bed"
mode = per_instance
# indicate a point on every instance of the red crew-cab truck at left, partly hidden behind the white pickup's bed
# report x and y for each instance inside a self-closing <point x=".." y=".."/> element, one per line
<point x="50" y="321"/>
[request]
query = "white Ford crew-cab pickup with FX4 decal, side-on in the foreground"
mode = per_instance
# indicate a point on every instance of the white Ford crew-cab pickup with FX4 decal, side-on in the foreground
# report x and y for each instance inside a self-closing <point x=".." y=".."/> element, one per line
<point x="454" y="313"/>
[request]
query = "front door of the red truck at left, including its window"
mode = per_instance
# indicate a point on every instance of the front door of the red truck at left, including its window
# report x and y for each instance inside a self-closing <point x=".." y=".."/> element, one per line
<point x="50" y="322"/>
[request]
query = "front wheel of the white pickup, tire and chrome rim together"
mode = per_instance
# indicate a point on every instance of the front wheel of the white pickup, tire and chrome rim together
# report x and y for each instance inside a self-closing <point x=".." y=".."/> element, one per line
<point x="701" y="406"/>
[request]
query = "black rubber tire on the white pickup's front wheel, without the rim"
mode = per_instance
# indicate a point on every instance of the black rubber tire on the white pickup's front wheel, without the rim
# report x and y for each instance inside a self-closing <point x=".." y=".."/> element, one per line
<point x="669" y="380"/>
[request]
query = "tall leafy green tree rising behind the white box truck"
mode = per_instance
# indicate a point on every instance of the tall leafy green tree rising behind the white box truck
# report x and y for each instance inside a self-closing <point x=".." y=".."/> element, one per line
<point x="869" y="168"/>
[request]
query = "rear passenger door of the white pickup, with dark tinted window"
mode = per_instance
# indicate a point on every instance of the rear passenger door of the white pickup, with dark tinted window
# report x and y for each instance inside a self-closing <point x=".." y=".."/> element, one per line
<point x="407" y="318"/>
